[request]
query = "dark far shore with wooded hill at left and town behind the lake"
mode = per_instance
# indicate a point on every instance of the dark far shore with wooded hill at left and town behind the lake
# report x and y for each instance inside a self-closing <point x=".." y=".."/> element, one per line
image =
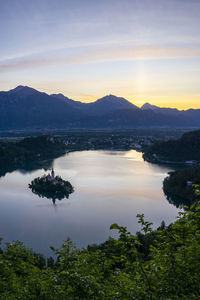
<point x="32" y="152"/>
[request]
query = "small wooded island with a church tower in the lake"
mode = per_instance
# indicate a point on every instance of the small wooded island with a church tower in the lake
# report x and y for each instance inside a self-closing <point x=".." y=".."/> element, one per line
<point x="51" y="186"/>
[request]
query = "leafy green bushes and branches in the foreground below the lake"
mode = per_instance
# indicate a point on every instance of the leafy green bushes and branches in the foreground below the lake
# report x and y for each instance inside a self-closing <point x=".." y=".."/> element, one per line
<point x="160" y="264"/>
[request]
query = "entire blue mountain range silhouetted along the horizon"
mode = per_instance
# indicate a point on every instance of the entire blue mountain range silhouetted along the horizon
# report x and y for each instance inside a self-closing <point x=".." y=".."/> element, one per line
<point x="27" y="108"/>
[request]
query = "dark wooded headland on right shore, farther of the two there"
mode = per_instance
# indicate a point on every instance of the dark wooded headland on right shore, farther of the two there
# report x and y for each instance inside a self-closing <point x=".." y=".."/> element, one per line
<point x="184" y="149"/>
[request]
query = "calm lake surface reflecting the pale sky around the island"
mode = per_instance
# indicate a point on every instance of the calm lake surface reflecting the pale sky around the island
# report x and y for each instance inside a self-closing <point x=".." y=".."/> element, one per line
<point x="110" y="187"/>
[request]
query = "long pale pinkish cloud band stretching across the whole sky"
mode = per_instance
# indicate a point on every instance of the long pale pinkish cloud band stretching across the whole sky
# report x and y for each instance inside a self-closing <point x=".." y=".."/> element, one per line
<point x="99" y="56"/>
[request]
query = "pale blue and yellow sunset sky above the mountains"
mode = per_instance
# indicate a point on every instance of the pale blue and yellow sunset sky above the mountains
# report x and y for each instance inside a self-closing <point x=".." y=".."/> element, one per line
<point x="142" y="50"/>
